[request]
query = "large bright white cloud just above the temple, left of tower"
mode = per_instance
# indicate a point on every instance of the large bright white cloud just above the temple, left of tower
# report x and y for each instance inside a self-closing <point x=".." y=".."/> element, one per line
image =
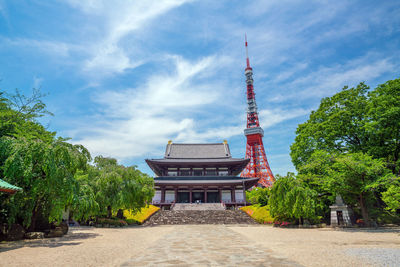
<point x="138" y="120"/>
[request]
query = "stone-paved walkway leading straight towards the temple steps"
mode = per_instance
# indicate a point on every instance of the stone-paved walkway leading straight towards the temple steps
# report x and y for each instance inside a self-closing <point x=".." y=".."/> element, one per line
<point x="206" y="245"/>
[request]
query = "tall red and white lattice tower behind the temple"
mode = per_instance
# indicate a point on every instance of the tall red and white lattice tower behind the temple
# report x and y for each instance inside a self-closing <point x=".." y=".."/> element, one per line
<point x="258" y="165"/>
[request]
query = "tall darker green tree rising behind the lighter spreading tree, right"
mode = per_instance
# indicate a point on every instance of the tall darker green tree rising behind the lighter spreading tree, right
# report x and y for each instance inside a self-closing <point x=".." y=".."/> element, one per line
<point x="338" y="125"/>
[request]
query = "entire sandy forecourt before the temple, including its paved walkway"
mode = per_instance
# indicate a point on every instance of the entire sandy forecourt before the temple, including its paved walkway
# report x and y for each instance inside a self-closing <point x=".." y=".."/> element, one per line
<point x="205" y="245"/>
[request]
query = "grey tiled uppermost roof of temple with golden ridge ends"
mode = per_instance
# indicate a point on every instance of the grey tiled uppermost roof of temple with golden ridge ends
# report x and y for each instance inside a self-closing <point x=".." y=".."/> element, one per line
<point x="197" y="151"/>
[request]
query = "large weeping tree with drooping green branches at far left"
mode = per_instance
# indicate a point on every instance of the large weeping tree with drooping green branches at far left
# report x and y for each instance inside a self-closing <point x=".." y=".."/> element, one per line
<point x="45" y="172"/>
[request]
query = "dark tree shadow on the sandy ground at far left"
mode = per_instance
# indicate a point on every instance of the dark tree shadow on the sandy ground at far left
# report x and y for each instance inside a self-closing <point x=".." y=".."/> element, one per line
<point x="66" y="240"/>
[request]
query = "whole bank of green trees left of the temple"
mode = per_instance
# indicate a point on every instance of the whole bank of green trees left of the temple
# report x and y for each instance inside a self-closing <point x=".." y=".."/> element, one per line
<point x="55" y="174"/>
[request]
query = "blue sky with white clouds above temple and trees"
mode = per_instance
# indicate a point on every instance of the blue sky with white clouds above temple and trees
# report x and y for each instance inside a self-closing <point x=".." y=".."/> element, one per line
<point x="124" y="77"/>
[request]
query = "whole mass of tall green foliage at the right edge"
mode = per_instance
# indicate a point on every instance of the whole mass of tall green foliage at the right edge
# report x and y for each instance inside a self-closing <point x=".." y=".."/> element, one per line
<point x="351" y="145"/>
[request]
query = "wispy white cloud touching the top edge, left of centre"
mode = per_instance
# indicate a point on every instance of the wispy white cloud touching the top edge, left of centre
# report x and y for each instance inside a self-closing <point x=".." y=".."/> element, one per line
<point x="121" y="18"/>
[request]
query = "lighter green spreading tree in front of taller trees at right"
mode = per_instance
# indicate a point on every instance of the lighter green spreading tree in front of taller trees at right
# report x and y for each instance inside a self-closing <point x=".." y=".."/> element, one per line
<point x="355" y="176"/>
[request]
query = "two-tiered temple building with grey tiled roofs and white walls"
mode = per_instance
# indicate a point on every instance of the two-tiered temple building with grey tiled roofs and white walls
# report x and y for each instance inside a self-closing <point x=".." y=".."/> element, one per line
<point x="199" y="173"/>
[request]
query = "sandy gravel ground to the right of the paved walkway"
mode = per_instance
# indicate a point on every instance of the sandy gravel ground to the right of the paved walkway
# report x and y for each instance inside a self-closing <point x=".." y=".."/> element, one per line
<point x="329" y="247"/>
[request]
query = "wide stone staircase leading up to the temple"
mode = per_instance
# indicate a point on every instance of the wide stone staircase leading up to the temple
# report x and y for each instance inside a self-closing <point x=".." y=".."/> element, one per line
<point x="171" y="217"/>
